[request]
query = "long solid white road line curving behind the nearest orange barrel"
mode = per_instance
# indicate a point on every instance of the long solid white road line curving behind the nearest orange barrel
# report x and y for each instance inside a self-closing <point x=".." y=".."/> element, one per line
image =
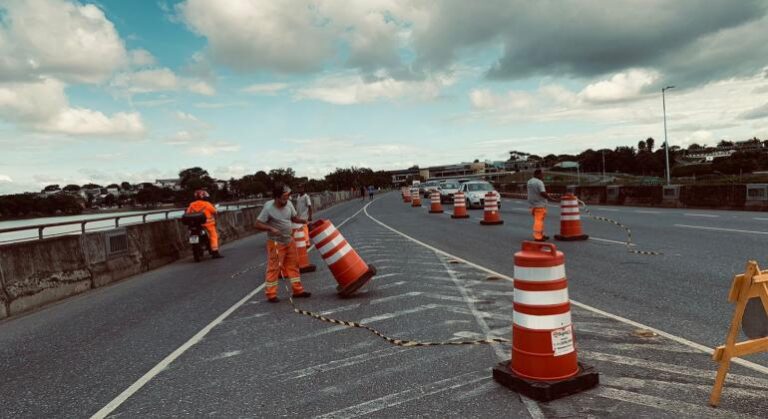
<point x="678" y="339"/>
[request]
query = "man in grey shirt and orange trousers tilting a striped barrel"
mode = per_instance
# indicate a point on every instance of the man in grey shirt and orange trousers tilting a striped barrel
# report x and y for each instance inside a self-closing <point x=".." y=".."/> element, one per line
<point x="277" y="219"/>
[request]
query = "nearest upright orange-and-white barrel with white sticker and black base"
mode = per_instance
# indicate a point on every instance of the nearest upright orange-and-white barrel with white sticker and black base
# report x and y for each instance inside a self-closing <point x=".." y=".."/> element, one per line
<point x="544" y="364"/>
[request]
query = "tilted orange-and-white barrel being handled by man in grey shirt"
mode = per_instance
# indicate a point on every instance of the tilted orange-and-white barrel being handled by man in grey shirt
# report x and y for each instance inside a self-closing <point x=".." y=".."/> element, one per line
<point x="350" y="271"/>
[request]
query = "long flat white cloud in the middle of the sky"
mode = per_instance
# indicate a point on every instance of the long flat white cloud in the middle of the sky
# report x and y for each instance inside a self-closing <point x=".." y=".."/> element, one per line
<point x="353" y="89"/>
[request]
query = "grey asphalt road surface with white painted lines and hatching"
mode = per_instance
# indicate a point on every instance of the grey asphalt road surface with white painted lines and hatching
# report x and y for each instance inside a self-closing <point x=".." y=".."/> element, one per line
<point x="198" y="339"/>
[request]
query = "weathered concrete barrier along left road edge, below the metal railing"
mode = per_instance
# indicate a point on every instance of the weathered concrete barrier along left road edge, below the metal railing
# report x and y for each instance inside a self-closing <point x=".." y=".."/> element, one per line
<point x="36" y="273"/>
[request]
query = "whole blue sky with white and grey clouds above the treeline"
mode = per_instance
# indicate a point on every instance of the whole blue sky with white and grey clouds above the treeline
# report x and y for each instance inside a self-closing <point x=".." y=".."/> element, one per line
<point x="112" y="90"/>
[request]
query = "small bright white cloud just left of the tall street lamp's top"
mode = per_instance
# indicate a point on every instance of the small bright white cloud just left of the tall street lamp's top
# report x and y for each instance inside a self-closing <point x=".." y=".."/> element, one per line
<point x="620" y="87"/>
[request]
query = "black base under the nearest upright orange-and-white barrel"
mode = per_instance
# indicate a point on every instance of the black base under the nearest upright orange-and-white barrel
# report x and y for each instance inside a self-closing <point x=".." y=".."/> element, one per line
<point x="545" y="391"/>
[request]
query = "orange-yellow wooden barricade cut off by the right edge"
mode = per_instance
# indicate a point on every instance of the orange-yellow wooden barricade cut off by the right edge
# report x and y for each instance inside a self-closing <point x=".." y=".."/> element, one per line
<point x="752" y="284"/>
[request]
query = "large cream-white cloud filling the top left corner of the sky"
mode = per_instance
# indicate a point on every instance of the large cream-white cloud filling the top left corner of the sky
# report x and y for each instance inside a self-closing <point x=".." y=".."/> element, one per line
<point x="56" y="38"/>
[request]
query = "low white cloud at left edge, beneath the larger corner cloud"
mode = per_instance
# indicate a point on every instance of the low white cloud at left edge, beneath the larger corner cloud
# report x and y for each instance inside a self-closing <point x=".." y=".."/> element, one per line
<point x="43" y="106"/>
